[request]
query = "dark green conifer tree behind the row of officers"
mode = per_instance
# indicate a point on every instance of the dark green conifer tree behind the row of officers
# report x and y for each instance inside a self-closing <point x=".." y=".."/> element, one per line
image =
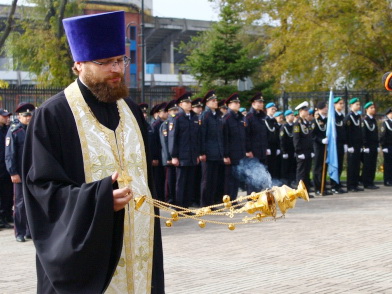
<point x="218" y="54"/>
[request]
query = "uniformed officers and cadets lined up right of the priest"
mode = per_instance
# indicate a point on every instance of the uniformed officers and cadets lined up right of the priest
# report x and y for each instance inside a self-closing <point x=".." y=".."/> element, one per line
<point x="197" y="146"/>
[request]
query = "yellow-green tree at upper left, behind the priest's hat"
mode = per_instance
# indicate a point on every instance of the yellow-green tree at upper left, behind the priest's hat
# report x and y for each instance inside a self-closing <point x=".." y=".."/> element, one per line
<point x="41" y="46"/>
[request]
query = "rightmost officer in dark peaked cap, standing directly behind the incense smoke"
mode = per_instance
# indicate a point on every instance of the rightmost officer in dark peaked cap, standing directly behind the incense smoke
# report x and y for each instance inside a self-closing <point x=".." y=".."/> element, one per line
<point x="256" y="134"/>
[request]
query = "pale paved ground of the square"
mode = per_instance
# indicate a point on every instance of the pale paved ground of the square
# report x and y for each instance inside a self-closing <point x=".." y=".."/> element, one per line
<point x="334" y="244"/>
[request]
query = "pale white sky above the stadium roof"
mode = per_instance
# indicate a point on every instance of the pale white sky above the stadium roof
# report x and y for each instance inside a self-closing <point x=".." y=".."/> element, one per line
<point x="191" y="9"/>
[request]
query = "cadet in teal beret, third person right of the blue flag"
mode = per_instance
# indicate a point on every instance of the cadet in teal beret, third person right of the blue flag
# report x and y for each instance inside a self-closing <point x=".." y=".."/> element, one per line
<point x="370" y="146"/>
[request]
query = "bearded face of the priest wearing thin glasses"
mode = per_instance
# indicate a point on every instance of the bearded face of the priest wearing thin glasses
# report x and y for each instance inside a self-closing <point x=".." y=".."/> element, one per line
<point x="105" y="80"/>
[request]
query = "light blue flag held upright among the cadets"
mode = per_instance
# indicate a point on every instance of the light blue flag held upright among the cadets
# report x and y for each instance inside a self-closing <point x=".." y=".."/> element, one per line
<point x="332" y="154"/>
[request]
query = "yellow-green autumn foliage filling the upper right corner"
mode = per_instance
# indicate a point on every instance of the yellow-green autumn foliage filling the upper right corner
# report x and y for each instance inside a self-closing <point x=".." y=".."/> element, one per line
<point x="314" y="45"/>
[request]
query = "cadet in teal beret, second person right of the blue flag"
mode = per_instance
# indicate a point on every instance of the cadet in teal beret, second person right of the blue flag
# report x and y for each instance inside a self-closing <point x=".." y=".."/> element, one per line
<point x="352" y="123"/>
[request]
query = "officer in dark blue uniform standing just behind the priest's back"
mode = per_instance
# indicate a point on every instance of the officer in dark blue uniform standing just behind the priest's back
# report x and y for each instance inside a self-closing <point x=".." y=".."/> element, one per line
<point x="13" y="160"/>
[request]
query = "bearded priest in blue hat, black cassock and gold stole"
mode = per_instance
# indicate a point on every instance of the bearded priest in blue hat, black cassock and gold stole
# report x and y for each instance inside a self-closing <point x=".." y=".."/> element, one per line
<point x="85" y="159"/>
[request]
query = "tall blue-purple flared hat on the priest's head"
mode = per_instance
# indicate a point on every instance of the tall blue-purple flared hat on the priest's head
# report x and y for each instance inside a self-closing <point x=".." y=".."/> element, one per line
<point x="96" y="36"/>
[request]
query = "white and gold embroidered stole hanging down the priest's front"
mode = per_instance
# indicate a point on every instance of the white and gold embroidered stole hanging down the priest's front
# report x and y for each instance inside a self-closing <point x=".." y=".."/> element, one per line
<point x="104" y="152"/>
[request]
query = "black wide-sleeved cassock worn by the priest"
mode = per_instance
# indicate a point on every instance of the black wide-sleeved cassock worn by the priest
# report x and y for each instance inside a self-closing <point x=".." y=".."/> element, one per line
<point x="77" y="235"/>
